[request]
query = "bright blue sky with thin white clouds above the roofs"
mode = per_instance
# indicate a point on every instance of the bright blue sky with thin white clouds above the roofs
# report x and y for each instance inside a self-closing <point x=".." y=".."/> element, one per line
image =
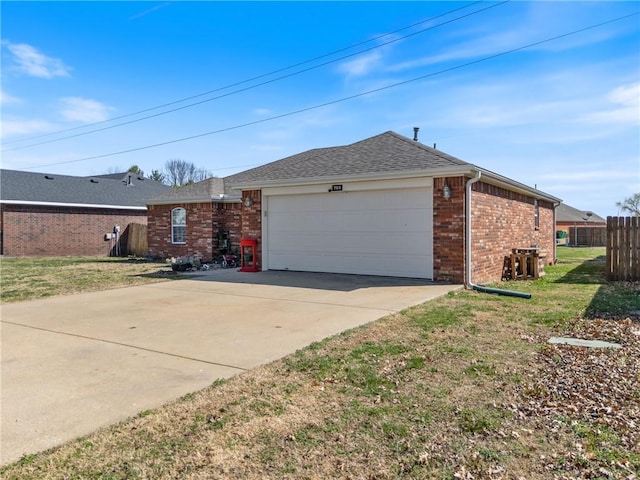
<point x="562" y="114"/>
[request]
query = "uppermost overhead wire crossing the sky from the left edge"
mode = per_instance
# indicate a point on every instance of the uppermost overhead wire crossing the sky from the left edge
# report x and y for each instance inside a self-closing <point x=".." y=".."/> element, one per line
<point x="241" y="82"/>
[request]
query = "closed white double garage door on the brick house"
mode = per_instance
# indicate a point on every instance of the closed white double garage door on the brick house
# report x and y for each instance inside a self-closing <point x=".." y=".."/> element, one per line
<point x="381" y="232"/>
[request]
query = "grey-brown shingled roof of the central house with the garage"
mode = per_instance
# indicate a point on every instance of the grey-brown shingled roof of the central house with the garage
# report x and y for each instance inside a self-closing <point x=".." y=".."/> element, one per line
<point x="383" y="156"/>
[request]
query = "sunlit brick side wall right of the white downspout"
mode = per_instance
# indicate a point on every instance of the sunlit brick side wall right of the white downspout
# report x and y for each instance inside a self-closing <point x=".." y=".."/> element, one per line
<point x="502" y="220"/>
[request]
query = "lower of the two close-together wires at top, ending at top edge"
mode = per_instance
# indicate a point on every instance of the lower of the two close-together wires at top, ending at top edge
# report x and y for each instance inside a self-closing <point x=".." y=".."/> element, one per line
<point x="255" y="85"/>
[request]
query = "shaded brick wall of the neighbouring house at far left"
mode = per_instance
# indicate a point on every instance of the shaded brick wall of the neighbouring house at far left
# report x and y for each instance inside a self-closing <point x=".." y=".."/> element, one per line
<point x="29" y="230"/>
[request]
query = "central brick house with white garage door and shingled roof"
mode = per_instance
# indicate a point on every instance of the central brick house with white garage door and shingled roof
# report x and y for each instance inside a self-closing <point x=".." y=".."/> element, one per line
<point x="386" y="205"/>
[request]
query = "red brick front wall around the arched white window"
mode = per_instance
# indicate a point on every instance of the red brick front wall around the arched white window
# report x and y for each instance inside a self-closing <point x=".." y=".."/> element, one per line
<point x="204" y="220"/>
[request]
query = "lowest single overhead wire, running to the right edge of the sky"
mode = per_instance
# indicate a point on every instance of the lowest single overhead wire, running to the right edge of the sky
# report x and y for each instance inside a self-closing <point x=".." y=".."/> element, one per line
<point x="351" y="97"/>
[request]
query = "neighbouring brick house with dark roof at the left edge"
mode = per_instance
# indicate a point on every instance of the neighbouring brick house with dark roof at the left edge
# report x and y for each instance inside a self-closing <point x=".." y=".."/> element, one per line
<point x="58" y="215"/>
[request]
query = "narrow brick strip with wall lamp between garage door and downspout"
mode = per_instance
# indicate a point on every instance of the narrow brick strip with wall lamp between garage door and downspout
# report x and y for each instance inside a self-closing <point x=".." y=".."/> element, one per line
<point x="448" y="230"/>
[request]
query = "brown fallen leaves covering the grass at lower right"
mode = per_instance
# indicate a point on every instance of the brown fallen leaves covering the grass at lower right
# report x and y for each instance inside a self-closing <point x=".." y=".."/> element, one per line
<point x="595" y="392"/>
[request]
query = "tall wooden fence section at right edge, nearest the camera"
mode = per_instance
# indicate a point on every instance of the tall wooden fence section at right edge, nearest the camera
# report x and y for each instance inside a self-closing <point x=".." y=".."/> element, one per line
<point x="623" y="248"/>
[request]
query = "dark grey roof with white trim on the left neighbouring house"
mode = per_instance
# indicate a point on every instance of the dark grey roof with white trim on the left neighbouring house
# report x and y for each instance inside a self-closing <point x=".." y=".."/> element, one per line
<point x="126" y="191"/>
